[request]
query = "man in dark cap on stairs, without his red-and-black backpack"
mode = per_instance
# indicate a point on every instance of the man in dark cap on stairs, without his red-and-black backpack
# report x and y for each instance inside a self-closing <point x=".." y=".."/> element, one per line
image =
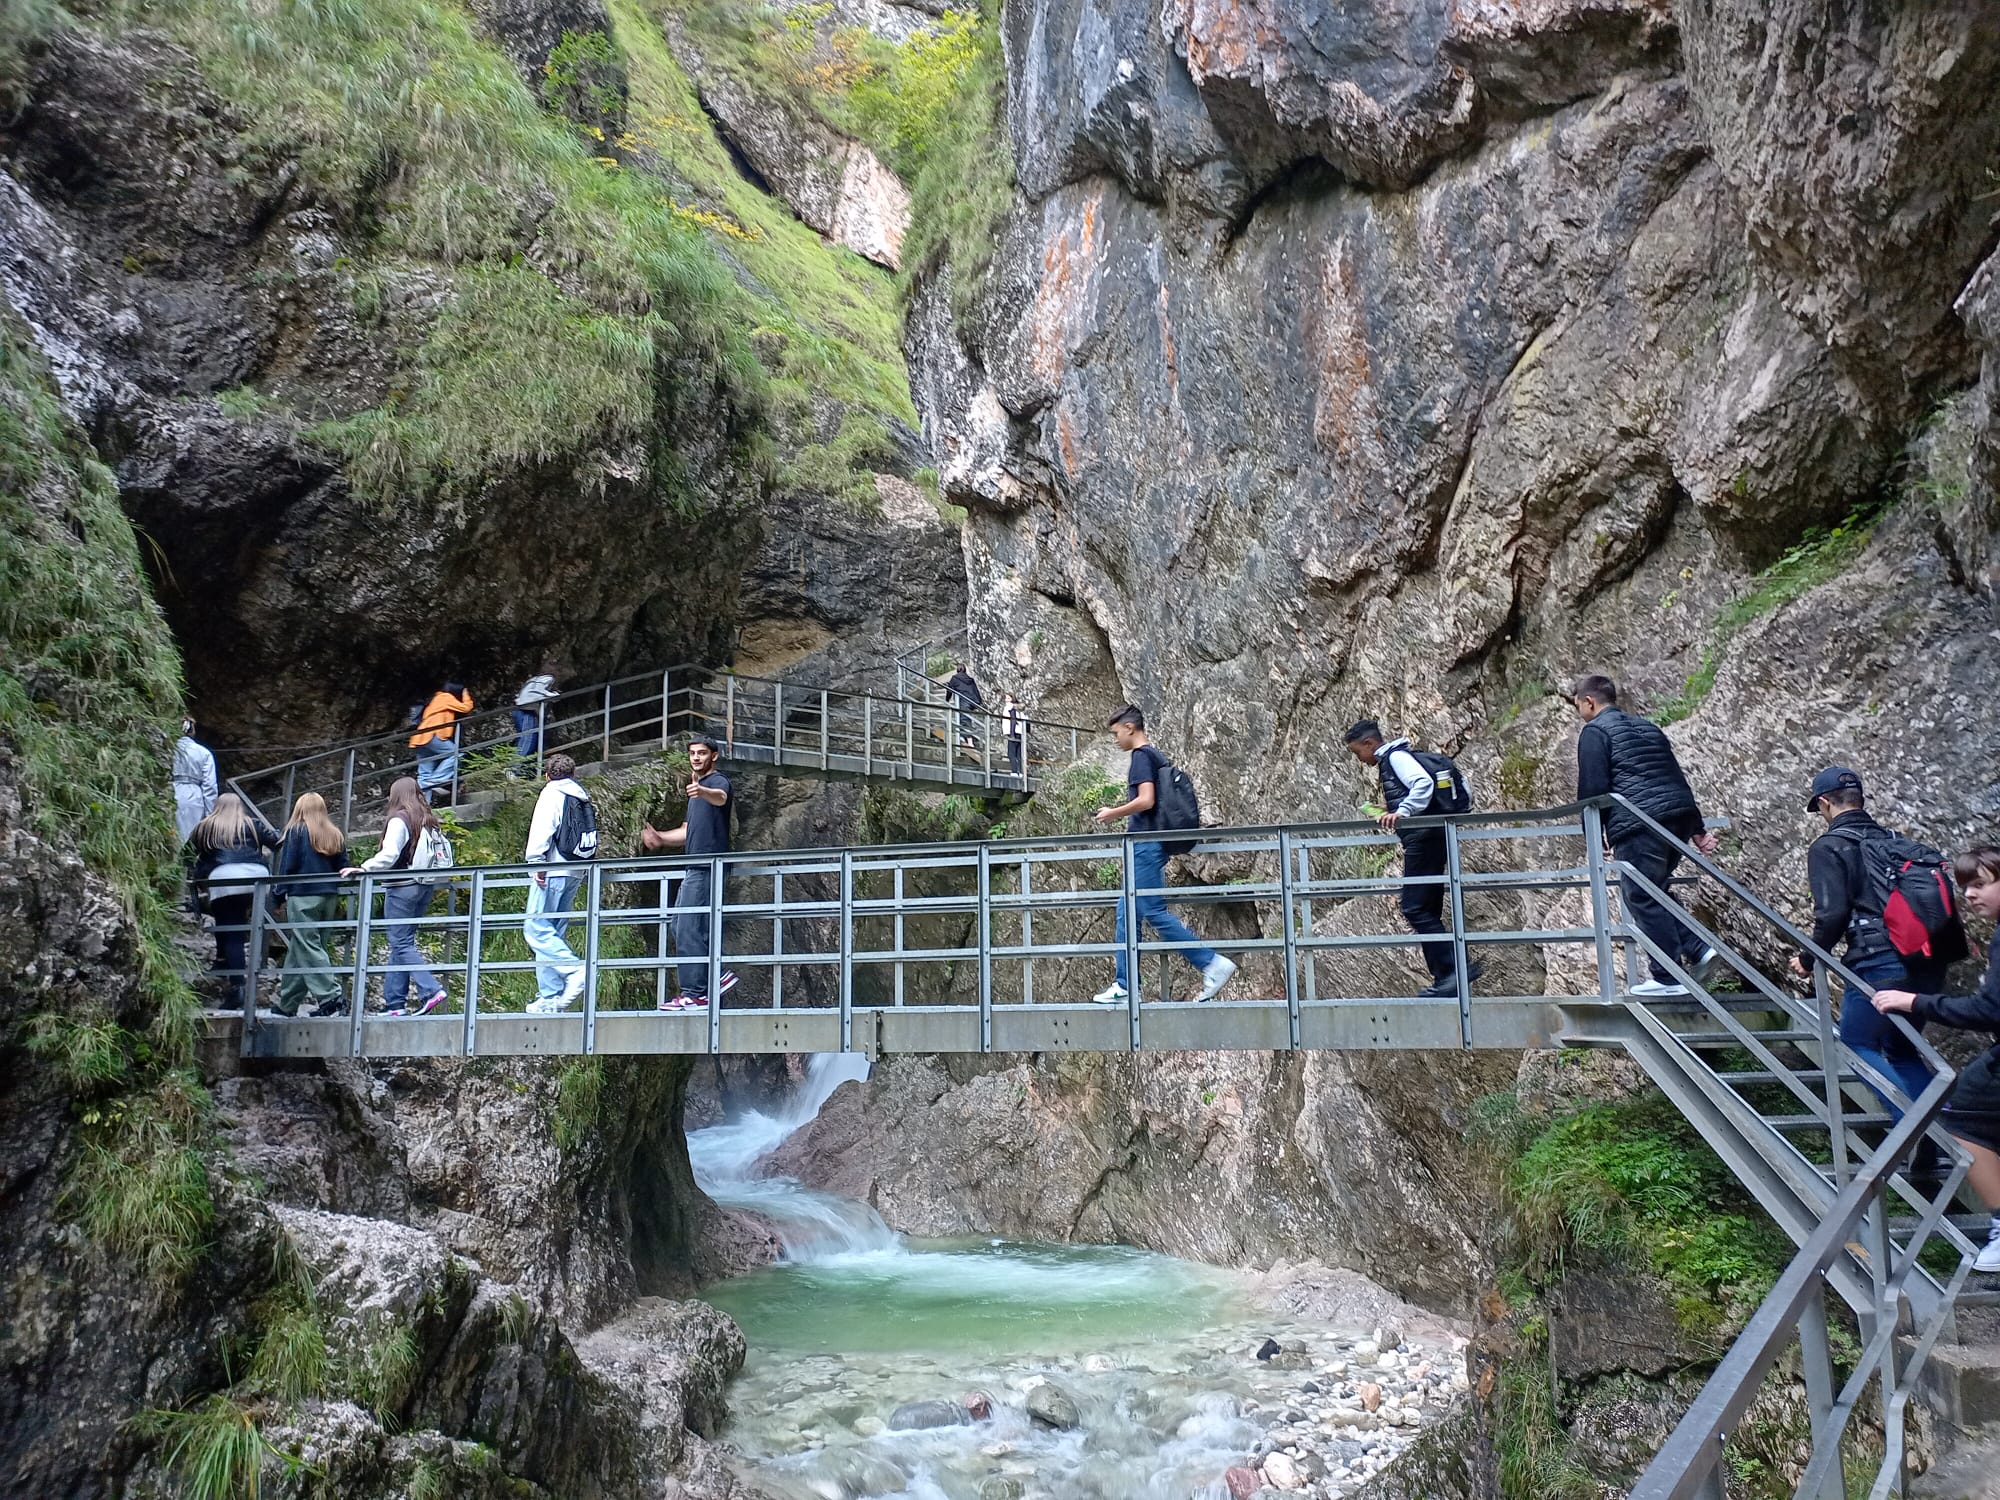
<point x="1845" y="907"/>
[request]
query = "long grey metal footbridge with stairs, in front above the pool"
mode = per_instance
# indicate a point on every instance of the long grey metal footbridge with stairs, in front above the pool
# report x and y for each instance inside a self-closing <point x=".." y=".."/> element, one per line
<point x="999" y="947"/>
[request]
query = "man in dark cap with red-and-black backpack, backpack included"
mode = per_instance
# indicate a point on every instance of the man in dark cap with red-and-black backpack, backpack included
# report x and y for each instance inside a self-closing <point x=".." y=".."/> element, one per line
<point x="1891" y="899"/>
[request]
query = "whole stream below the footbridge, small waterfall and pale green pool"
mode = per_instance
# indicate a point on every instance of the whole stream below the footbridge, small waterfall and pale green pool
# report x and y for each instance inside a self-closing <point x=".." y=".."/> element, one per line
<point x="1155" y="1353"/>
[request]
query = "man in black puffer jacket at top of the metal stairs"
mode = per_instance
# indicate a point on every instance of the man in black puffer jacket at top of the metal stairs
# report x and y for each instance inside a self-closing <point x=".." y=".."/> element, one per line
<point x="1633" y="757"/>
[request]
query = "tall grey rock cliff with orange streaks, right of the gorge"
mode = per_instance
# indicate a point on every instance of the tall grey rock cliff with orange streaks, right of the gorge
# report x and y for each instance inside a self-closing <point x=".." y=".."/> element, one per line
<point x="1411" y="361"/>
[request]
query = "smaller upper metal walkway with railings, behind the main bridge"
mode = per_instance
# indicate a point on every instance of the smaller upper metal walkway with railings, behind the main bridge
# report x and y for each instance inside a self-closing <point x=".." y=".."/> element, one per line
<point x="915" y="737"/>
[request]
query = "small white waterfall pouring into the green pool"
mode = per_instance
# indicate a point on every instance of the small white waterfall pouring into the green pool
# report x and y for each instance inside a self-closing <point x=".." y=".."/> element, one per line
<point x="813" y="1227"/>
